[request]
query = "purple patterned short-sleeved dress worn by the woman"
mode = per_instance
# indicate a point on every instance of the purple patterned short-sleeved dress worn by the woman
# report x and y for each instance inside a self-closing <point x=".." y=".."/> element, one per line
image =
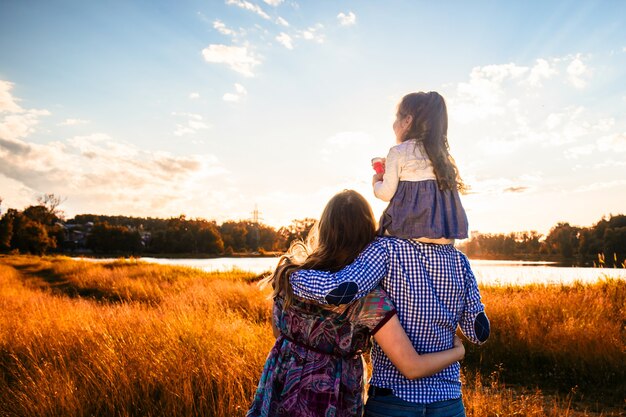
<point x="315" y="368"/>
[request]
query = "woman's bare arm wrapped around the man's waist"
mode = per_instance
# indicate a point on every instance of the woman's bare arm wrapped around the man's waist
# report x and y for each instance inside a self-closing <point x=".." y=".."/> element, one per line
<point x="399" y="349"/>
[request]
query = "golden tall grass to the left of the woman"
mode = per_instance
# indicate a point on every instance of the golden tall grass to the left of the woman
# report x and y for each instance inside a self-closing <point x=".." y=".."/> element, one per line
<point x="189" y="345"/>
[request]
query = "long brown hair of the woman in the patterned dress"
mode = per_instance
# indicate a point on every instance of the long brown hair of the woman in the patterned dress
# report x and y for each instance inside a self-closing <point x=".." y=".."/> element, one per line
<point x="346" y="227"/>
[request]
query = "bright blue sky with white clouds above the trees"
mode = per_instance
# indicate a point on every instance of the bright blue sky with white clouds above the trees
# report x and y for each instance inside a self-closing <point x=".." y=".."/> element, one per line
<point x="212" y="108"/>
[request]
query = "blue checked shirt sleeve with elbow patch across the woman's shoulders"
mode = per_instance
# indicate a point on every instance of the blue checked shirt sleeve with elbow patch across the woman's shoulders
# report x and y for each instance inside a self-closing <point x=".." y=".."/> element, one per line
<point x="352" y="282"/>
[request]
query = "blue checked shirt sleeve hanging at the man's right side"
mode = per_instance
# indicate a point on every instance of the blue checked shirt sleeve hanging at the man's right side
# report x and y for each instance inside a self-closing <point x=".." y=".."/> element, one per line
<point x="474" y="322"/>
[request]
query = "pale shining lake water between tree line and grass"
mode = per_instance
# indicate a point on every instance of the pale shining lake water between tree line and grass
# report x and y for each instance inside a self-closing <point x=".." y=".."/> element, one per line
<point x="487" y="272"/>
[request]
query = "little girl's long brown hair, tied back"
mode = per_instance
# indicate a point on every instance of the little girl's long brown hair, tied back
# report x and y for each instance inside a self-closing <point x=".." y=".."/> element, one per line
<point x="430" y="127"/>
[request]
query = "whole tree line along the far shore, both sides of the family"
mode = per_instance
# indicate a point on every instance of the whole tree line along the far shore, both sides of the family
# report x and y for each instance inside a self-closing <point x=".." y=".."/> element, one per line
<point x="41" y="229"/>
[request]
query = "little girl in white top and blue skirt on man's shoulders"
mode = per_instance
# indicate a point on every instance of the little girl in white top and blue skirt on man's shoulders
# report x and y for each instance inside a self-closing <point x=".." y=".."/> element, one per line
<point x="421" y="180"/>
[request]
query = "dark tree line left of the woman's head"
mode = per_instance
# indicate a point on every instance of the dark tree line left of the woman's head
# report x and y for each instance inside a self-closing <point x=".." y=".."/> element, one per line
<point x="41" y="229"/>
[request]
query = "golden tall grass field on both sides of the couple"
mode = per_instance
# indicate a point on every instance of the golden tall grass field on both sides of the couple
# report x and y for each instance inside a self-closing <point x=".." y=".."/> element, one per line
<point x="134" y="339"/>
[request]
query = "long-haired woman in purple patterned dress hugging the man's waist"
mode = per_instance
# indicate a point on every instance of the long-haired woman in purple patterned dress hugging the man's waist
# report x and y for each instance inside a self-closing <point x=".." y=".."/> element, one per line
<point x="315" y="367"/>
